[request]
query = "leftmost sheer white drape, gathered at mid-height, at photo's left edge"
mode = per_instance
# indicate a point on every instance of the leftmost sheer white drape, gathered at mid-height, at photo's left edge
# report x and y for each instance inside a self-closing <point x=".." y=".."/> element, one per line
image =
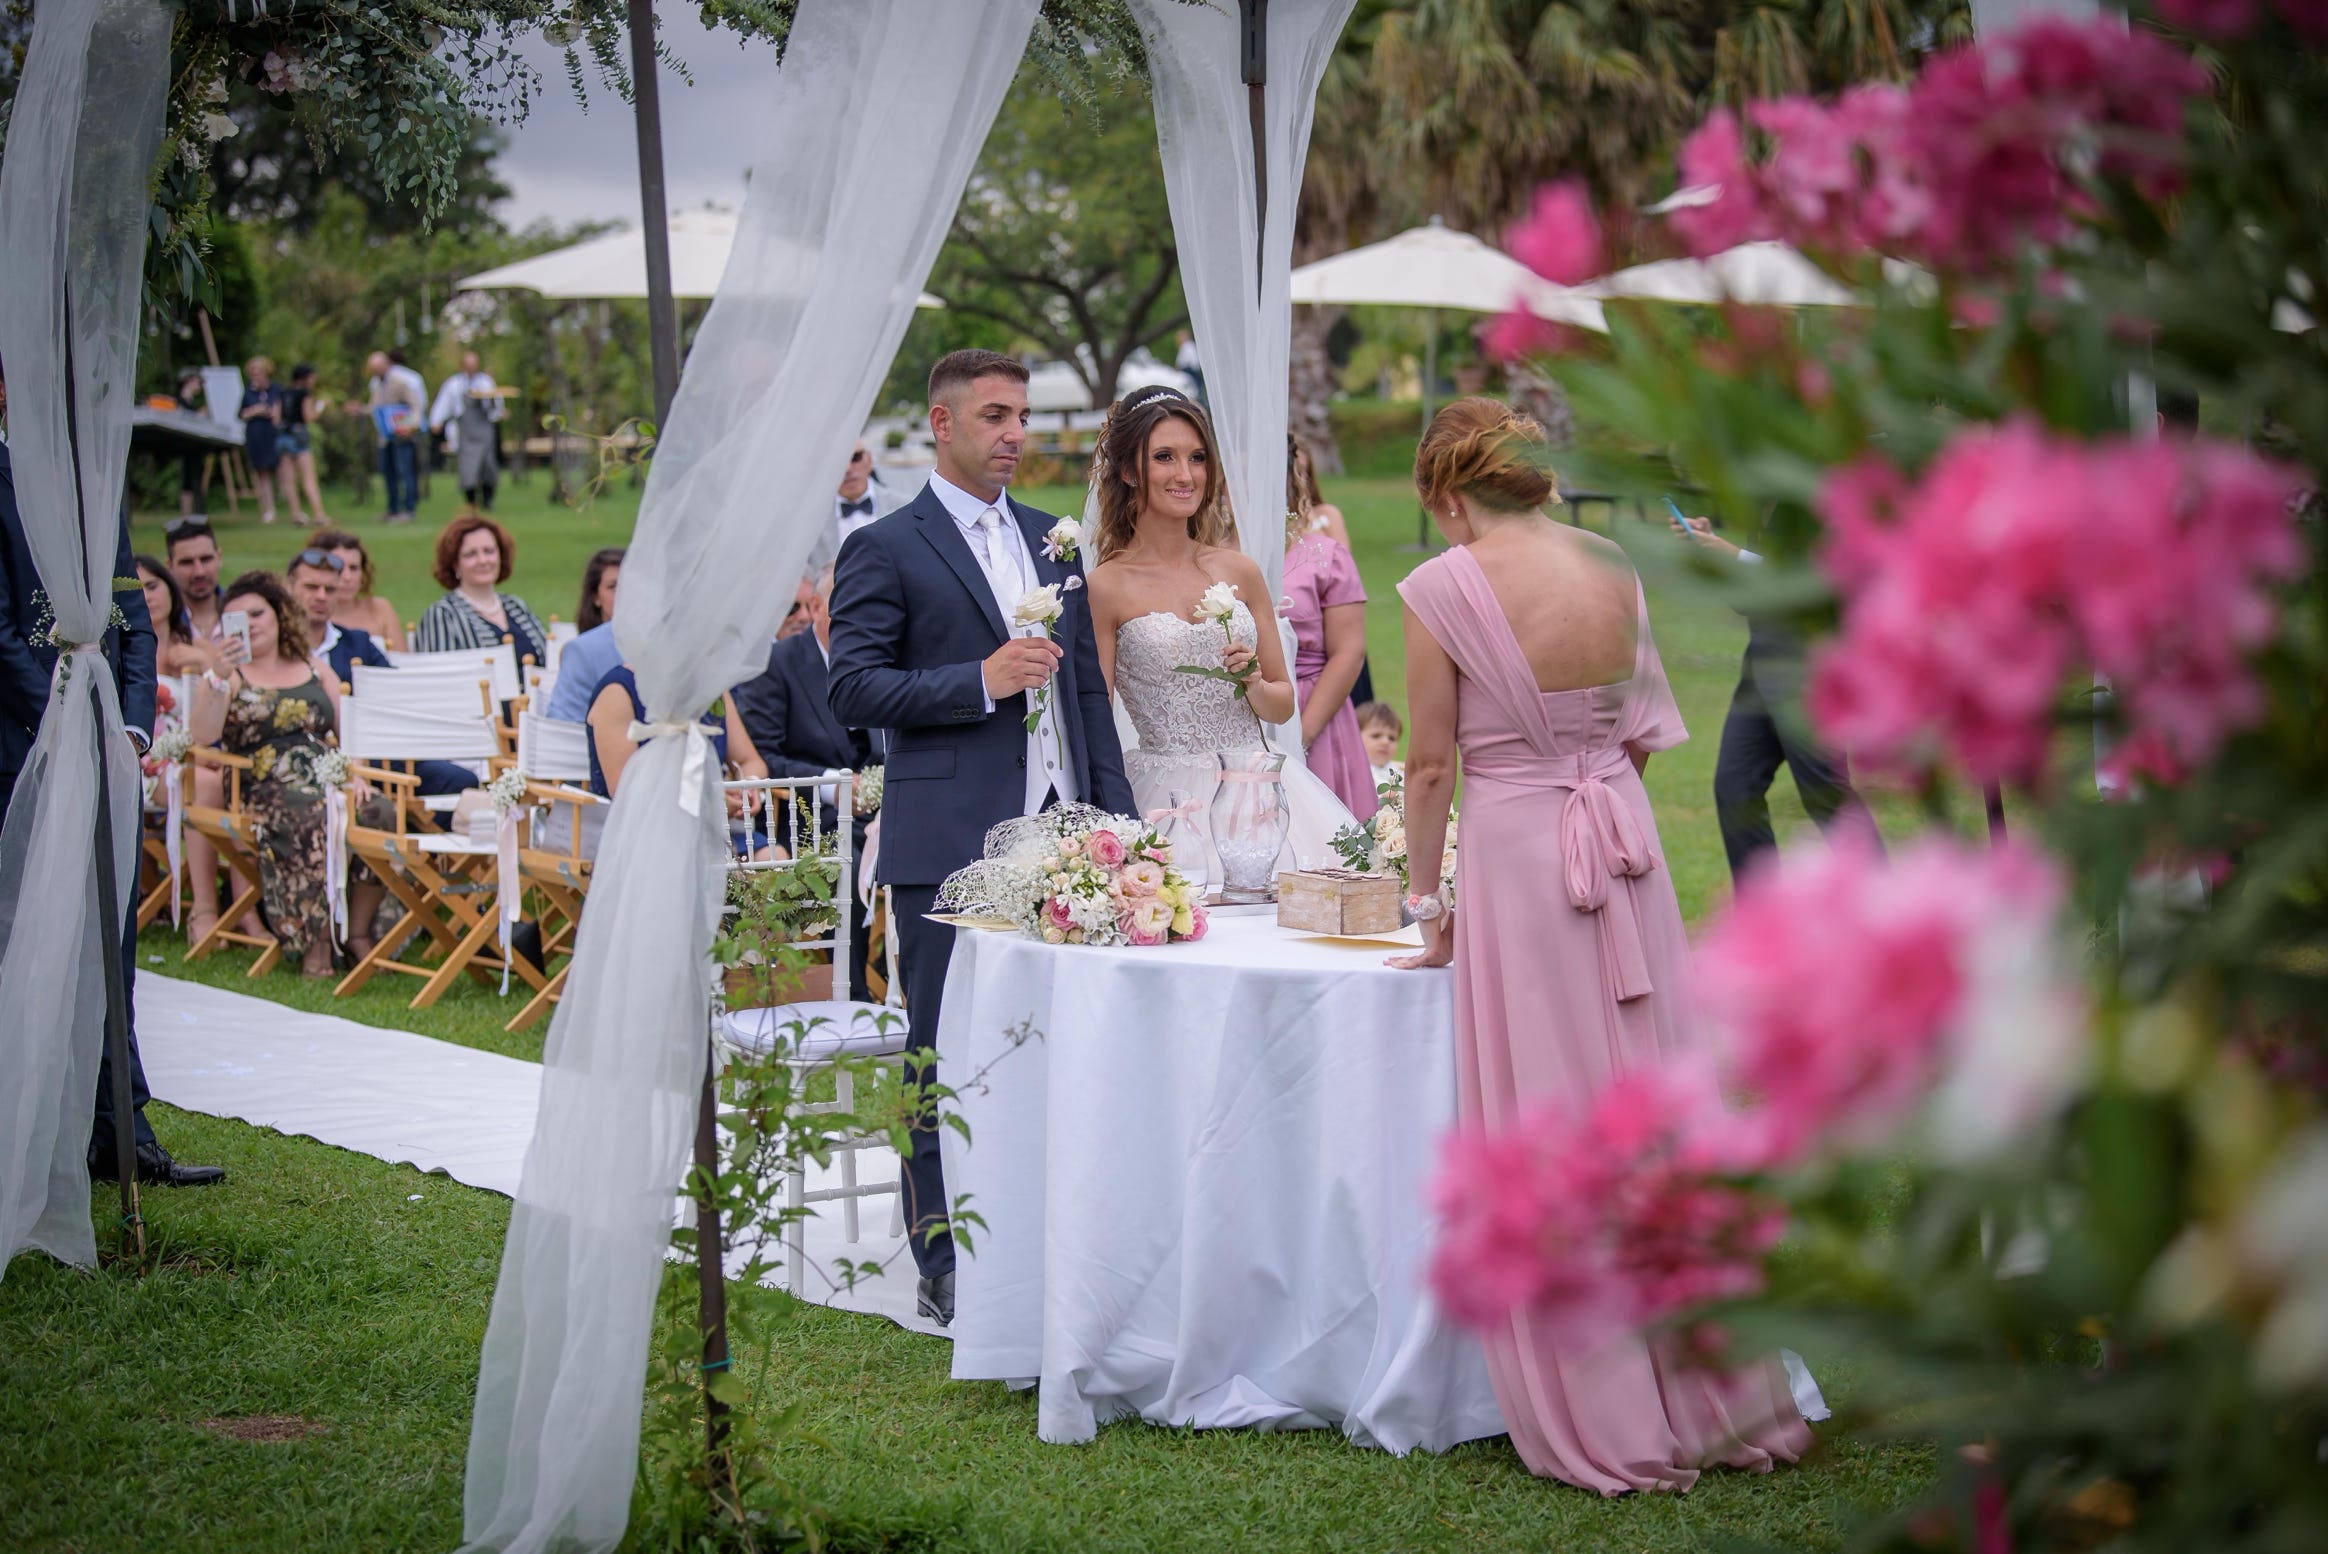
<point x="73" y="211"/>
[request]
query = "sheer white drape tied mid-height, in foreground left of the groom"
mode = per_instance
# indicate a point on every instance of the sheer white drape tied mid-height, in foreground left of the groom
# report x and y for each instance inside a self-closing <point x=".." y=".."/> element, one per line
<point x="870" y="134"/>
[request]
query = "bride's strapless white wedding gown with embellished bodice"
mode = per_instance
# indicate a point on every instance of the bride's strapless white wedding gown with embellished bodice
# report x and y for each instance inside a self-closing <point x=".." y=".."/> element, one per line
<point x="1181" y="722"/>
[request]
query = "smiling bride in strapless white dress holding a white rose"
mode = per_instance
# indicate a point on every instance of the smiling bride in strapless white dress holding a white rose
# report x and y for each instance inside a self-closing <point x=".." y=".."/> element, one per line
<point x="1161" y="541"/>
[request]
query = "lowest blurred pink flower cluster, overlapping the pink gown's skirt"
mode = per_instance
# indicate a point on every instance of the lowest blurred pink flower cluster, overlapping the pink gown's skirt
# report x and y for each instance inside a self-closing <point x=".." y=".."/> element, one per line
<point x="1605" y="1220"/>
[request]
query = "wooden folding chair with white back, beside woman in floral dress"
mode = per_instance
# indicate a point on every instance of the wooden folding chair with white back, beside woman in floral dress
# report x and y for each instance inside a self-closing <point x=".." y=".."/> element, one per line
<point x="441" y="881"/>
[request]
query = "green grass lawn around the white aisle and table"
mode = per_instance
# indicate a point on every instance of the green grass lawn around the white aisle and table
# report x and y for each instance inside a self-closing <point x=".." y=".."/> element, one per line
<point x="343" y="1299"/>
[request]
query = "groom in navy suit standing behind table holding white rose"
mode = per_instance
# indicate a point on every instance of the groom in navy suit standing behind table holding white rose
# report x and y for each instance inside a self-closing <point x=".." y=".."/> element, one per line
<point x="925" y="648"/>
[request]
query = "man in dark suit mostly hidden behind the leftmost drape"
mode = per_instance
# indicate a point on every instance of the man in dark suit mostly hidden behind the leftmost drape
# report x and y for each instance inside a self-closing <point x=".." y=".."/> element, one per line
<point x="27" y="671"/>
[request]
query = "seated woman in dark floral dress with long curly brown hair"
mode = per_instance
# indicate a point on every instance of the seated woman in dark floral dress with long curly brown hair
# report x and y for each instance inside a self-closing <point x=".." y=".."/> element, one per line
<point x="281" y="713"/>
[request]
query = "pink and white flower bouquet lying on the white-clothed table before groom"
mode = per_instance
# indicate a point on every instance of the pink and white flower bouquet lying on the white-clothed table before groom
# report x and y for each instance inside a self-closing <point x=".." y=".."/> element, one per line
<point x="1079" y="876"/>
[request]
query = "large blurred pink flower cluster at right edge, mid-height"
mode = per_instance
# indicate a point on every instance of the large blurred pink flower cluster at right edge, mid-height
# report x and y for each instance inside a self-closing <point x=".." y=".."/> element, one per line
<point x="2017" y="559"/>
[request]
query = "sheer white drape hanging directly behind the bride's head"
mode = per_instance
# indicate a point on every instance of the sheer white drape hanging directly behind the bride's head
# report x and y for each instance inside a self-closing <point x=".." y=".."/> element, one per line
<point x="1242" y="315"/>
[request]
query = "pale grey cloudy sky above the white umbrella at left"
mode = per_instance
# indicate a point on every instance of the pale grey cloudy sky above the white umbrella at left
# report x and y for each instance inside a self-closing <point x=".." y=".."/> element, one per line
<point x="567" y="164"/>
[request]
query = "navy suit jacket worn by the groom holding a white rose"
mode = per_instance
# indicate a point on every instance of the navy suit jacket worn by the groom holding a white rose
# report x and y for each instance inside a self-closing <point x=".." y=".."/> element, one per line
<point x="914" y="625"/>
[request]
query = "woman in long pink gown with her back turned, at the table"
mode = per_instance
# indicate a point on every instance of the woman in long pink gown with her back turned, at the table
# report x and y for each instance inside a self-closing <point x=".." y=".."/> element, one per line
<point x="1570" y="955"/>
